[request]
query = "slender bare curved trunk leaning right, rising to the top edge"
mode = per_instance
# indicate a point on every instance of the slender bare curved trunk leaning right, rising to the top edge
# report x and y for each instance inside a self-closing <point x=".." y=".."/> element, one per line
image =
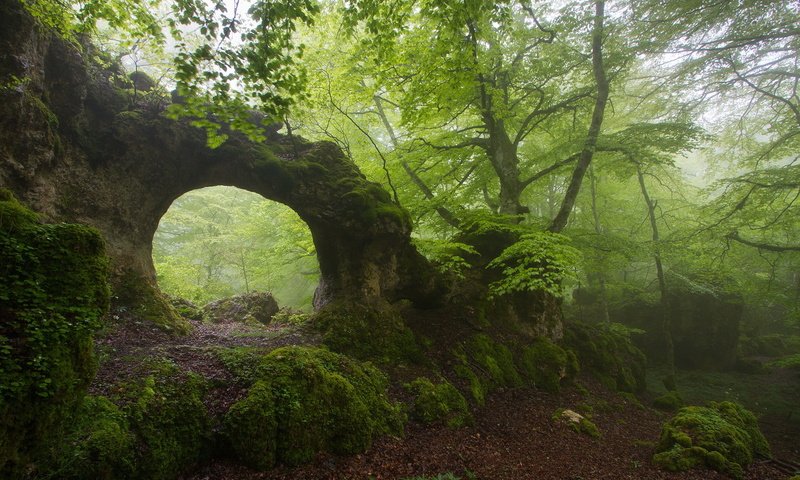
<point x="560" y="220"/>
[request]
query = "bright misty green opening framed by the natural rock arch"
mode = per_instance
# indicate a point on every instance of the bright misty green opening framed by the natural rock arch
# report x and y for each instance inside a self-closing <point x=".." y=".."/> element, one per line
<point x="221" y="241"/>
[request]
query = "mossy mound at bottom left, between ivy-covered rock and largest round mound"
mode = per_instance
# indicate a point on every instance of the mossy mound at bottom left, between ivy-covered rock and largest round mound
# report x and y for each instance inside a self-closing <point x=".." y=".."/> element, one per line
<point x="155" y="428"/>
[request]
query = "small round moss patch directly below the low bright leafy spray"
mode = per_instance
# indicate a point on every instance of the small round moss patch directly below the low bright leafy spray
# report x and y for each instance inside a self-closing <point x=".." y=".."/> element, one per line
<point x="545" y="364"/>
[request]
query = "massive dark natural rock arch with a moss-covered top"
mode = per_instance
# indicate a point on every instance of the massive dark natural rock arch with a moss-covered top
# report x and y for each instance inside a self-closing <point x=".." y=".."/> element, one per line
<point x="76" y="146"/>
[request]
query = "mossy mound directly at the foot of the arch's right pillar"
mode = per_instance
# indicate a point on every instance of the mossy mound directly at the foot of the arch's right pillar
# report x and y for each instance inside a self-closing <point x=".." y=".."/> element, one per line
<point x="376" y="333"/>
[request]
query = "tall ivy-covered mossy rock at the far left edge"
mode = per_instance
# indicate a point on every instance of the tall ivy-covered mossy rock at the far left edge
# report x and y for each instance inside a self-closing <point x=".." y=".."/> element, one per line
<point x="53" y="296"/>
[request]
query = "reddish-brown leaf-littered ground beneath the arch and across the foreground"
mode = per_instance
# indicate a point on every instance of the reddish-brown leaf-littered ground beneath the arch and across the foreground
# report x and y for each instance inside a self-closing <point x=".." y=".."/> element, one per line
<point x="513" y="437"/>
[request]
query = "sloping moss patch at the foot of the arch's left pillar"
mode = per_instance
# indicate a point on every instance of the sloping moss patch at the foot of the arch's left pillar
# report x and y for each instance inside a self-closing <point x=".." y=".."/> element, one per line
<point x="143" y="296"/>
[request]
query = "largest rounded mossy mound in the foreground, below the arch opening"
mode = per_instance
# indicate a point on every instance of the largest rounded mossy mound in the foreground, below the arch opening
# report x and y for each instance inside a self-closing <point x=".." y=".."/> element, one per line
<point x="306" y="400"/>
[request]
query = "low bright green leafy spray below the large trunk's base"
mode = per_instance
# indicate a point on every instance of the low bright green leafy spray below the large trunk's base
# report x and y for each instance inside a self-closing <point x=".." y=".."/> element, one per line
<point x="537" y="262"/>
